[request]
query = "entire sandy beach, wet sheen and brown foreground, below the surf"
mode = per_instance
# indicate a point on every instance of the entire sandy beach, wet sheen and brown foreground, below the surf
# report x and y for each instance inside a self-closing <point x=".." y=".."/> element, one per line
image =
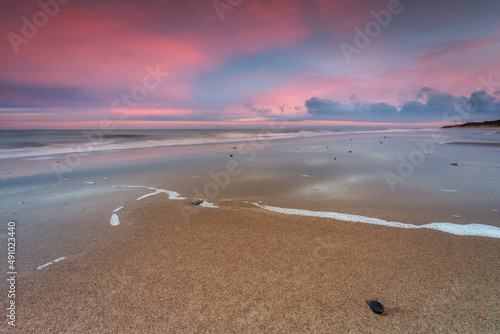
<point x="171" y="266"/>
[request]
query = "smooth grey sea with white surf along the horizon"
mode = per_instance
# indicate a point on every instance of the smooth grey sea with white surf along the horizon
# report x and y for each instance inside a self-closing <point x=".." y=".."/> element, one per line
<point x="44" y="144"/>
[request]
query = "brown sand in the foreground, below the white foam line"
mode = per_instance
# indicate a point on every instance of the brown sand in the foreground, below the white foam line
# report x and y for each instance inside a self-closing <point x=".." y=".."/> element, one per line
<point x="174" y="267"/>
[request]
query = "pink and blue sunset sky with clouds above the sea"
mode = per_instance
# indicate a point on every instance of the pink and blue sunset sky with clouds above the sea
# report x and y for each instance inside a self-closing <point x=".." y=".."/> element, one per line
<point x="244" y="63"/>
